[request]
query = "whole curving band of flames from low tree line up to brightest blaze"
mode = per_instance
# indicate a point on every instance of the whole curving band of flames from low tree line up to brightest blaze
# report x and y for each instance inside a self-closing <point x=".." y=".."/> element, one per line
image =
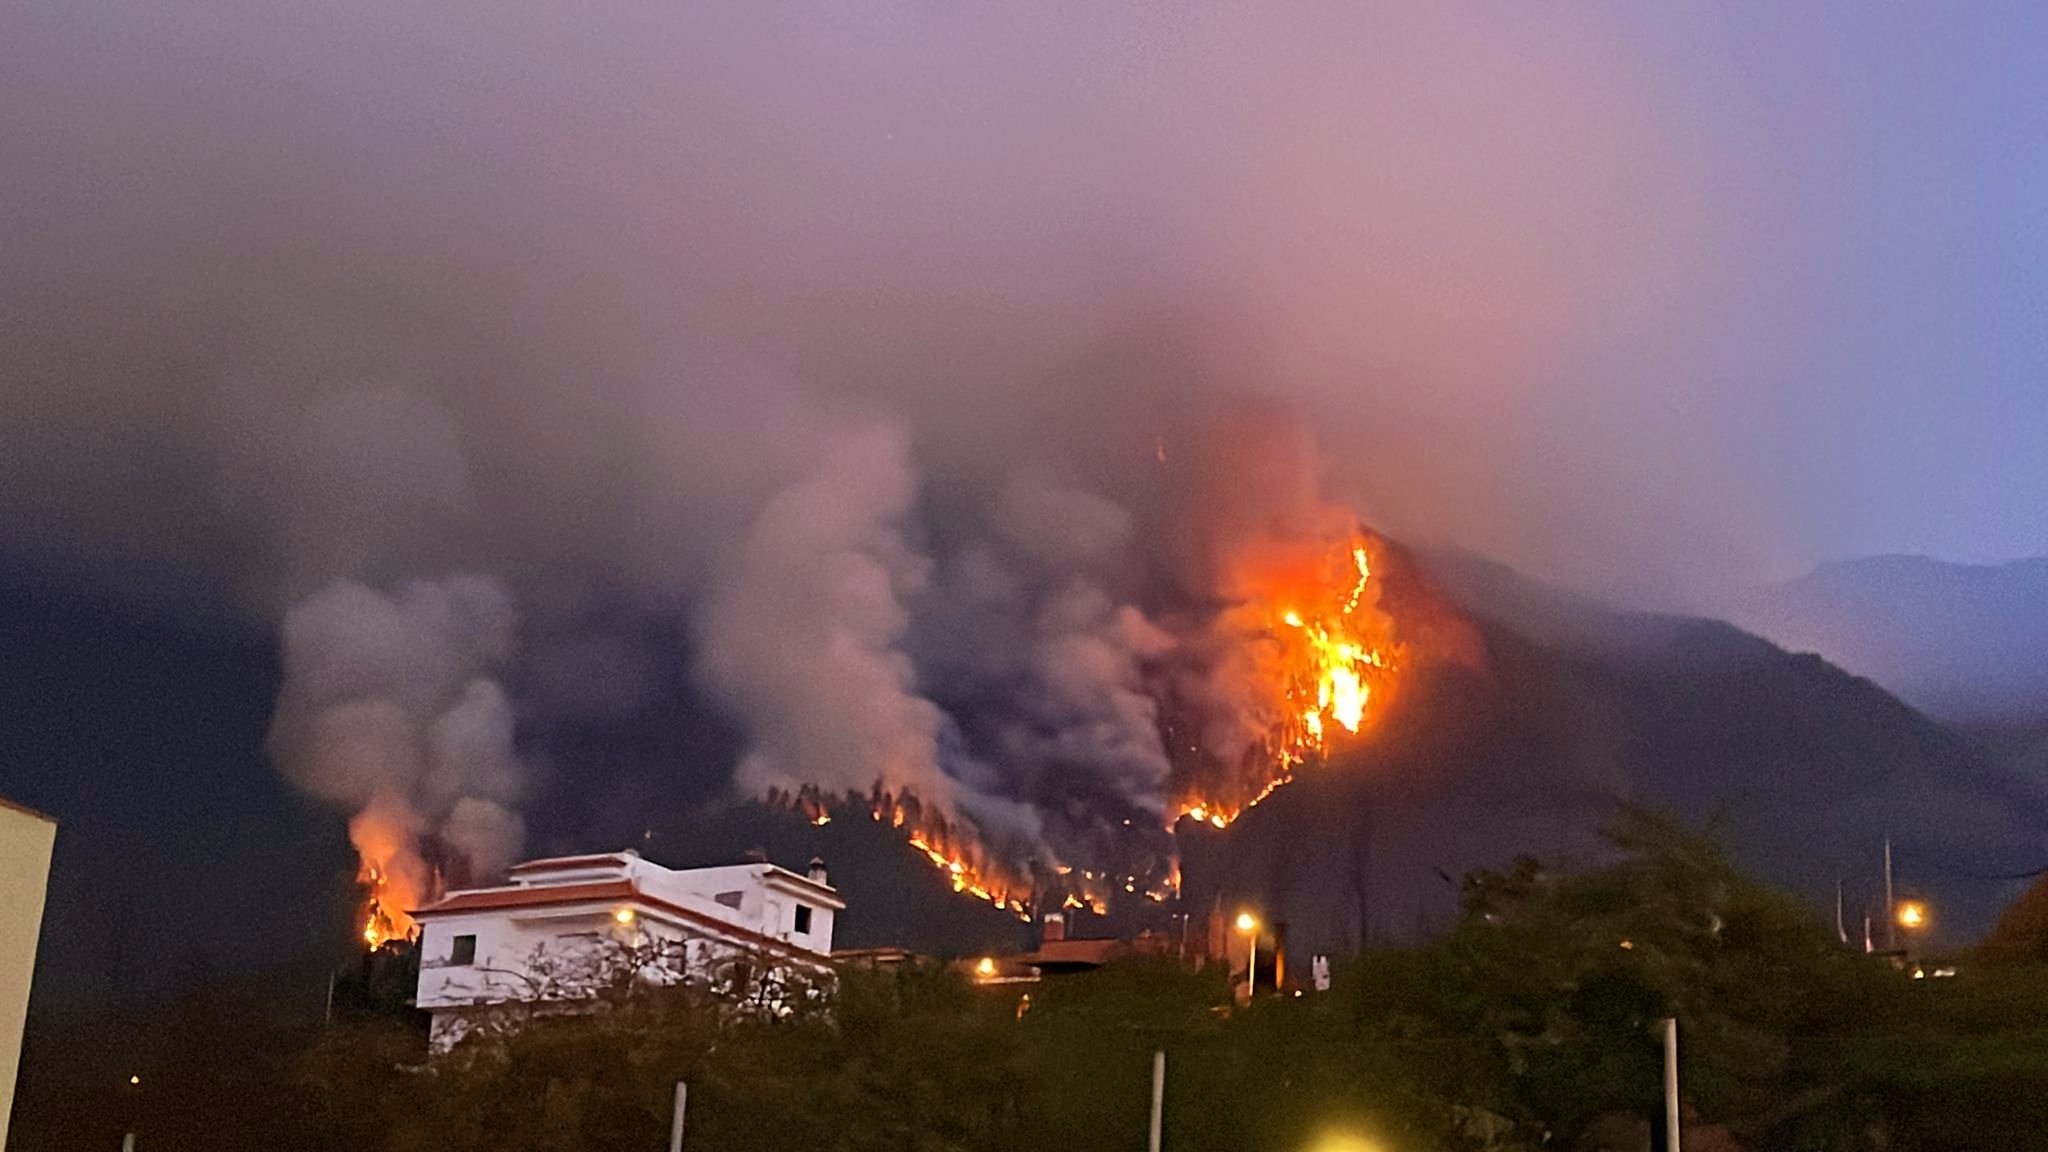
<point x="1295" y="663"/>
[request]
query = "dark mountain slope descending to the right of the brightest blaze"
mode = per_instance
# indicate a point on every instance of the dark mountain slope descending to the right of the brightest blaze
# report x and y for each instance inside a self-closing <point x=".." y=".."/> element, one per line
<point x="1799" y="766"/>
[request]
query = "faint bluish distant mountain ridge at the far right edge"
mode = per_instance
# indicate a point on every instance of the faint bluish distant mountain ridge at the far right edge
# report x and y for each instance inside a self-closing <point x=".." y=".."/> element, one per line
<point x="1965" y="643"/>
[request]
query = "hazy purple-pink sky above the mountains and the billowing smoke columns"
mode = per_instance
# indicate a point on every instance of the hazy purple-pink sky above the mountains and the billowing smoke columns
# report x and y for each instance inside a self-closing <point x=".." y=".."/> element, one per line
<point x="1654" y="302"/>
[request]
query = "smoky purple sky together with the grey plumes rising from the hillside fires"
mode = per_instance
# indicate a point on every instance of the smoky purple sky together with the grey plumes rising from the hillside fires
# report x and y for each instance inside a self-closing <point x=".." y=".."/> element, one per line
<point x="888" y="345"/>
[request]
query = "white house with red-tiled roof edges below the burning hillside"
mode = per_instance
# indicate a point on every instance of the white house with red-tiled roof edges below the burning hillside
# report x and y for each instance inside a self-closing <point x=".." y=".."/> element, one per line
<point x="566" y="925"/>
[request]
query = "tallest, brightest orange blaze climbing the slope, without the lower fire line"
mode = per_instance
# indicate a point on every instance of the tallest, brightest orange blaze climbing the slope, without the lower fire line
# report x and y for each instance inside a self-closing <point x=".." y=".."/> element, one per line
<point x="1320" y="651"/>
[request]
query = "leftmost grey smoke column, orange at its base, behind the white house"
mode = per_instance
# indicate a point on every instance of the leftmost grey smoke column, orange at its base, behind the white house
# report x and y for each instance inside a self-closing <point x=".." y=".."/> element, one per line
<point x="392" y="708"/>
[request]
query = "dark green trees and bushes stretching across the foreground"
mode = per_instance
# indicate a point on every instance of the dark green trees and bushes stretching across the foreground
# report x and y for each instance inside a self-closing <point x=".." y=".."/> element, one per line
<point x="1531" y="1026"/>
